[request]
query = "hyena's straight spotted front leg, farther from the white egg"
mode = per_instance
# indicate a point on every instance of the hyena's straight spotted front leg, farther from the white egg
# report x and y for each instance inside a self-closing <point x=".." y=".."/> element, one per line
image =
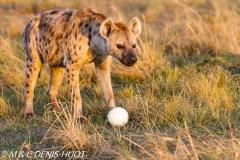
<point x="76" y="100"/>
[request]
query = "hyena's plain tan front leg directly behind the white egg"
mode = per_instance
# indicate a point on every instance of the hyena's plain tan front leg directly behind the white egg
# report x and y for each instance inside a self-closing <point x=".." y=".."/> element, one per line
<point x="103" y="76"/>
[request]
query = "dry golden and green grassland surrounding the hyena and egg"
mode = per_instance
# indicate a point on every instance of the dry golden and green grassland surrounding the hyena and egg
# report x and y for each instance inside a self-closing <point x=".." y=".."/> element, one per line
<point x="182" y="95"/>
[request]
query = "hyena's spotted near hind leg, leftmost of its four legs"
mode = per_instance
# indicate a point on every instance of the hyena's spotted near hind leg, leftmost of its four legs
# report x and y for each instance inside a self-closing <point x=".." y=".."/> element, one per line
<point x="34" y="66"/>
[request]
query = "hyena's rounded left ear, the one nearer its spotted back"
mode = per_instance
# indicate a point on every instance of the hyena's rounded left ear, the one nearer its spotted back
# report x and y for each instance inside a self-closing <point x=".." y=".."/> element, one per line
<point x="107" y="27"/>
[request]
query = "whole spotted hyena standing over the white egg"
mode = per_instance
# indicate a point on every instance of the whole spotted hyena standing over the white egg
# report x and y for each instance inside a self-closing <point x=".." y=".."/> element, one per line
<point x="66" y="39"/>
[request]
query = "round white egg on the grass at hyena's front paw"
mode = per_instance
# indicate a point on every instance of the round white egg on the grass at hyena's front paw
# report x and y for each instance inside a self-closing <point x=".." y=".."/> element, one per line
<point x="118" y="117"/>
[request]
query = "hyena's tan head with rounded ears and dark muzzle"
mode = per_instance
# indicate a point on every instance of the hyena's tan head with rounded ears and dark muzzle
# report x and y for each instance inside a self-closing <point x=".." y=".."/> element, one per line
<point x="121" y="40"/>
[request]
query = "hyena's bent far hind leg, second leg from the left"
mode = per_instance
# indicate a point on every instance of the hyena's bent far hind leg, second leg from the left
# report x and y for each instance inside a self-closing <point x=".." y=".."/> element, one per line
<point x="57" y="74"/>
